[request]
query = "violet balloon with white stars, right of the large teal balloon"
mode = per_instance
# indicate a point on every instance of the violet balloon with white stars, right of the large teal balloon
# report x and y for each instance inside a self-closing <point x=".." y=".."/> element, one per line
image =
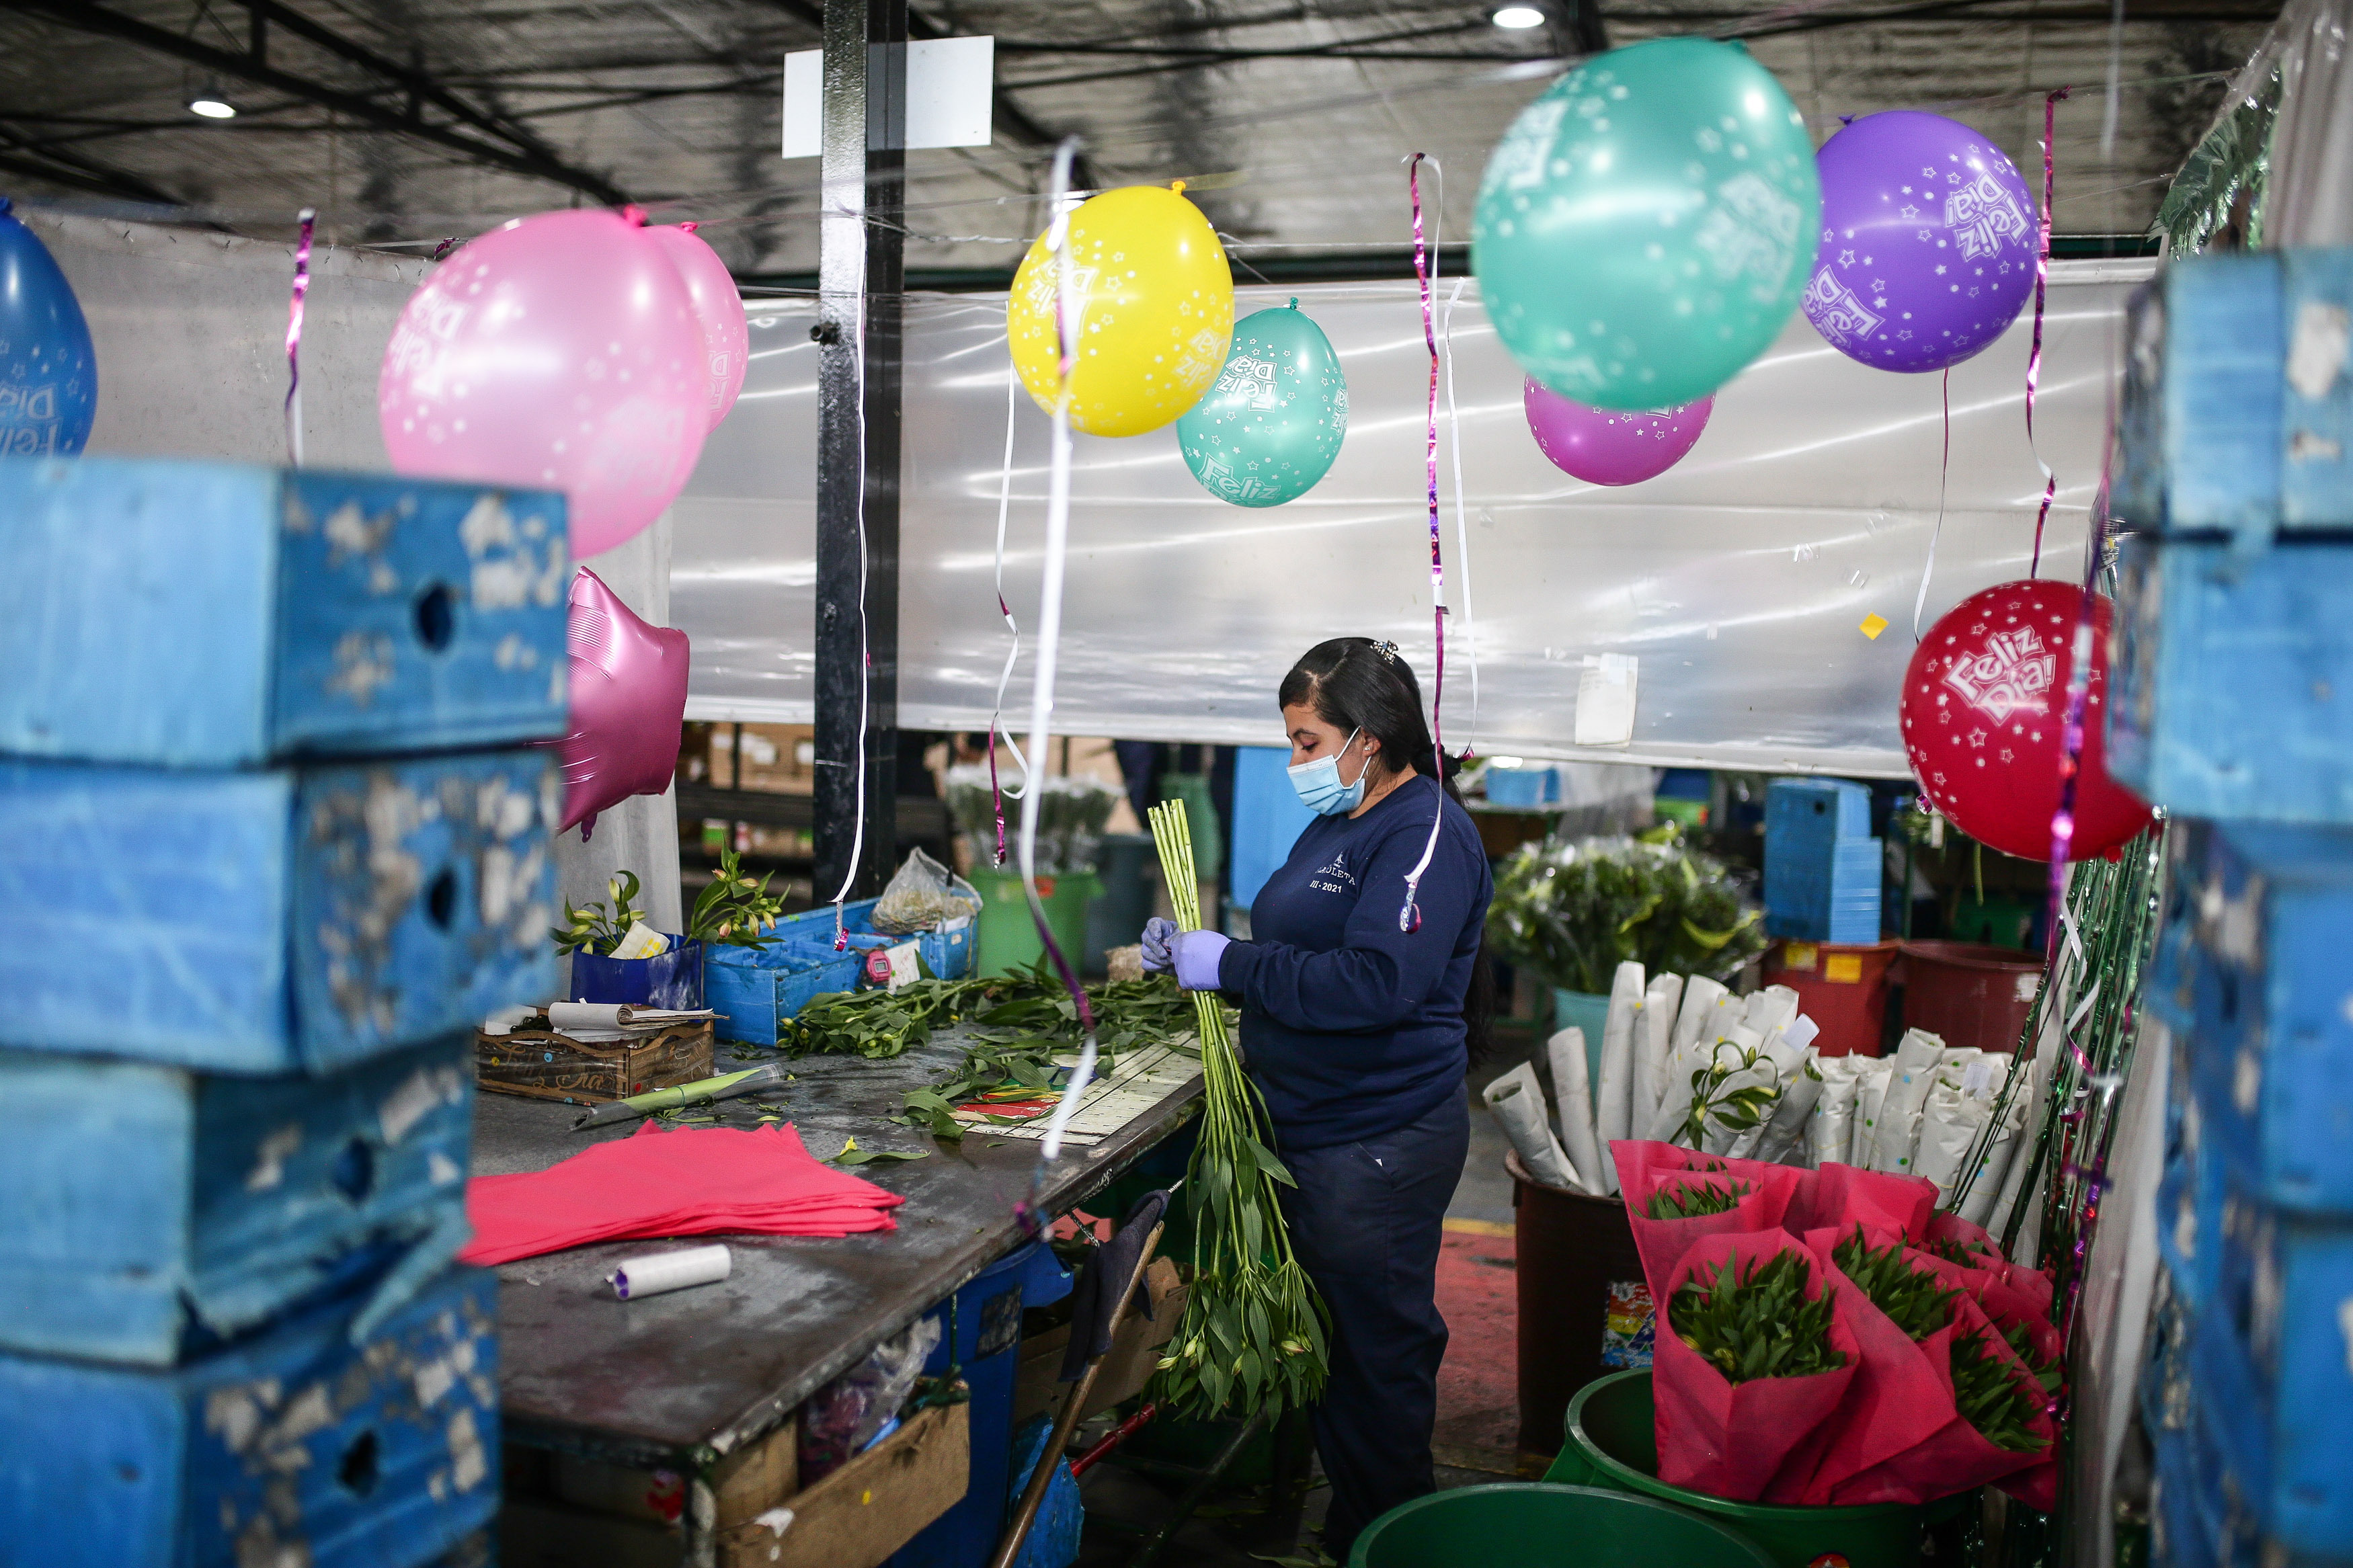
<point x="1928" y="243"/>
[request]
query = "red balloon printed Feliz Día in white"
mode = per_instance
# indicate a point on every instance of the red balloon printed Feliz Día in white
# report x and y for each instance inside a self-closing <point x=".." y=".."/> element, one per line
<point x="1985" y="718"/>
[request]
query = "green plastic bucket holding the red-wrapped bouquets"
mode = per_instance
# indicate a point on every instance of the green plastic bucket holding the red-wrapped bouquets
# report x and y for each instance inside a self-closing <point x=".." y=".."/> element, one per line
<point x="1615" y="1445"/>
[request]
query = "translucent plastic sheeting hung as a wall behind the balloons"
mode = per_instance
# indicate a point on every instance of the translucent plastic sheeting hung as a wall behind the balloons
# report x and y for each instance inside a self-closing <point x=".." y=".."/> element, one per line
<point x="1740" y="582"/>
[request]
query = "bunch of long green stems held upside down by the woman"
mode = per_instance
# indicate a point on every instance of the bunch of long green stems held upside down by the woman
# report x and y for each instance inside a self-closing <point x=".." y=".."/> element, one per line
<point x="1253" y="1334"/>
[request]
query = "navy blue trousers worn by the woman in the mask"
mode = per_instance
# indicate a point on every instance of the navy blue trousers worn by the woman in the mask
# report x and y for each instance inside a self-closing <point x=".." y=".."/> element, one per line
<point x="1366" y="1224"/>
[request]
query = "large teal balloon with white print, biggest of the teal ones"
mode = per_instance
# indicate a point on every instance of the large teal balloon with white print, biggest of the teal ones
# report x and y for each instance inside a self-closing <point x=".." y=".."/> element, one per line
<point x="1648" y="225"/>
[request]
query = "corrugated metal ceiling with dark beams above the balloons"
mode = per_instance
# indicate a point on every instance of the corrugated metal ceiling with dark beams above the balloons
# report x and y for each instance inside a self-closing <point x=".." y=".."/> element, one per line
<point x="411" y="121"/>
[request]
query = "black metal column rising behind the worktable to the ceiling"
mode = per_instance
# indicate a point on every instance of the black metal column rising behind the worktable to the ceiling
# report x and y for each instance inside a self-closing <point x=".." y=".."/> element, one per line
<point x="862" y="272"/>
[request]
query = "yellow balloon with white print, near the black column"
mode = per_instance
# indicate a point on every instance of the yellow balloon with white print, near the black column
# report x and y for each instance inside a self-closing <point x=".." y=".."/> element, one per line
<point x="1152" y="311"/>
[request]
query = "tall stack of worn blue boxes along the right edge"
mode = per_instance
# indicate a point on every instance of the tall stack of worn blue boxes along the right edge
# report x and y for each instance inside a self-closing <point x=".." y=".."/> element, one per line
<point x="2237" y="481"/>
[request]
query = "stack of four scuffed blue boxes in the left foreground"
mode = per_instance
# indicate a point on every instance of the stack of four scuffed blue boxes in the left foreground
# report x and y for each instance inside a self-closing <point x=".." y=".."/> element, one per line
<point x="276" y="826"/>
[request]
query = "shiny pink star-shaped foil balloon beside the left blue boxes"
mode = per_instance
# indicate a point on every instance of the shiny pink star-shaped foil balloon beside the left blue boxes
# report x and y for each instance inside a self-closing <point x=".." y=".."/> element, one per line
<point x="629" y="699"/>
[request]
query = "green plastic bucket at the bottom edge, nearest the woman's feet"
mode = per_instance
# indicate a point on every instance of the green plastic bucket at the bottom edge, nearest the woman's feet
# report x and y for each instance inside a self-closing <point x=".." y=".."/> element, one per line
<point x="1535" y="1525"/>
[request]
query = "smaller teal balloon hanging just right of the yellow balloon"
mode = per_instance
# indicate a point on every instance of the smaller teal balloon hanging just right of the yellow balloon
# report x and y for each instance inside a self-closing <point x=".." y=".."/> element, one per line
<point x="1274" y="422"/>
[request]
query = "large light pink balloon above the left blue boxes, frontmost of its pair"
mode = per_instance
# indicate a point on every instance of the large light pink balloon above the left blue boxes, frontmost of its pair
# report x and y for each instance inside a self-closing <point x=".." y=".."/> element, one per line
<point x="554" y="354"/>
